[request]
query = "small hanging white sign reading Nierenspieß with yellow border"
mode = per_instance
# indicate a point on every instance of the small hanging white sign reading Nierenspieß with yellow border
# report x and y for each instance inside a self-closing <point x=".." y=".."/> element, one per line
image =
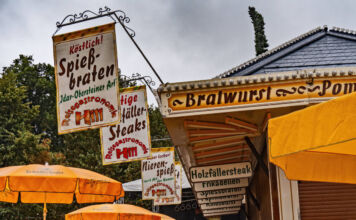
<point x="158" y="174"/>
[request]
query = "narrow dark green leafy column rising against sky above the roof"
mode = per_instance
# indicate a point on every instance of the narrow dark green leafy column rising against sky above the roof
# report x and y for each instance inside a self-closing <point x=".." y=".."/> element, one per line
<point x="261" y="44"/>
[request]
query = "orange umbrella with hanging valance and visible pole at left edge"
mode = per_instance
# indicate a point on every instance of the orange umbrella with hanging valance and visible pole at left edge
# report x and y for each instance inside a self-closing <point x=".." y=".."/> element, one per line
<point x="56" y="184"/>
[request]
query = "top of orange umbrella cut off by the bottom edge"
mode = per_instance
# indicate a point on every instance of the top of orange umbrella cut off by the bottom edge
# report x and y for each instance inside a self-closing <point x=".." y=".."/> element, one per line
<point x="114" y="212"/>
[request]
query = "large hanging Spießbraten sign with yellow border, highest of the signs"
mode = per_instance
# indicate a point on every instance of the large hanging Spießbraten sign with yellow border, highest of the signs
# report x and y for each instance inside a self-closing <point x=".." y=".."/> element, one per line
<point x="86" y="79"/>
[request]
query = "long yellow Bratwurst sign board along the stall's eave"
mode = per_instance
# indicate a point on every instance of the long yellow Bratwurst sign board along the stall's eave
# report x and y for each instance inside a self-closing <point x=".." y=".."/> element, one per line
<point x="292" y="90"/>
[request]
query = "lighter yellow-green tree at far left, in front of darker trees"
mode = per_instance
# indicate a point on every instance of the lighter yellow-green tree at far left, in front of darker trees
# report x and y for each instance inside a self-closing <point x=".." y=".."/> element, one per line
<point x="19" y="142"/>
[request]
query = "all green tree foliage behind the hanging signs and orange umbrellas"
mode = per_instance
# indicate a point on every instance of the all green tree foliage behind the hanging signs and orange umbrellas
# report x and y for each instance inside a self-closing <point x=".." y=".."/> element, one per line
<point x="28" y="134"/>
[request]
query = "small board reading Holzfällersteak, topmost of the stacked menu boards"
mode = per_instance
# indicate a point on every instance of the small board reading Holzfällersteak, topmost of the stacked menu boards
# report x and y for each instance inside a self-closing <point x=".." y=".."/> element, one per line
<point x="218" y="172"/>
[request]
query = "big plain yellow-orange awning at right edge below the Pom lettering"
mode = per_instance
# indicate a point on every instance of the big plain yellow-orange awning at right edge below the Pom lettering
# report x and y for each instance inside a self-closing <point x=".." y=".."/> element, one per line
<point x="317" y="143"/>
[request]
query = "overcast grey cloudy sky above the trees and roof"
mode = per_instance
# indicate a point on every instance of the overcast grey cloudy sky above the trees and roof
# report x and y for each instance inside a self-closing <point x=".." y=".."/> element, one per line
<point x="184" y="39"/>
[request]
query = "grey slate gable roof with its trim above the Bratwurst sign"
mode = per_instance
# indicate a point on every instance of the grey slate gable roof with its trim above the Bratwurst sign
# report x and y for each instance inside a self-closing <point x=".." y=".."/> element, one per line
<point x="318" y="48"/>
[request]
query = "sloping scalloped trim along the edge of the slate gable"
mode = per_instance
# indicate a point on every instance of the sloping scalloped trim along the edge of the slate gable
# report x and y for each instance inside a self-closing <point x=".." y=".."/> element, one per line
<point x="285" y="45"/>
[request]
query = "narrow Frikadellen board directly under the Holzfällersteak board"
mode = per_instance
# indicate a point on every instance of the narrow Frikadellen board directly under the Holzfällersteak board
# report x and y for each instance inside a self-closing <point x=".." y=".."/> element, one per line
<point x="221" y="184"/>
